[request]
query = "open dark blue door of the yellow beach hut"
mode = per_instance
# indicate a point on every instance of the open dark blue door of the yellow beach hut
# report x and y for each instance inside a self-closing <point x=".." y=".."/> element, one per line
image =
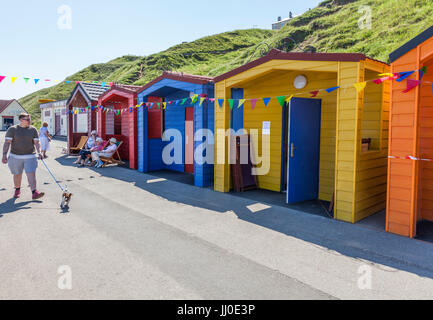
<point x="304" y="150"/>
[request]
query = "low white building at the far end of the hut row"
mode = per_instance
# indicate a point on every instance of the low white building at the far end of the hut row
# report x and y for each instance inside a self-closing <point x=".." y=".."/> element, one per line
<point x="54" y="113"/>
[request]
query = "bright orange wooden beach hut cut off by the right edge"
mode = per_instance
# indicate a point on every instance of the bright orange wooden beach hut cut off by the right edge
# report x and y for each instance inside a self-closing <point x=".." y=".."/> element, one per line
<point x="410" y="179"/>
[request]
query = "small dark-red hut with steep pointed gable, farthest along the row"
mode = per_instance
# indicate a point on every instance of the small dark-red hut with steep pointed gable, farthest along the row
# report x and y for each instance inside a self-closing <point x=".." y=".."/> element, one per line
<point x="81" y="111"/>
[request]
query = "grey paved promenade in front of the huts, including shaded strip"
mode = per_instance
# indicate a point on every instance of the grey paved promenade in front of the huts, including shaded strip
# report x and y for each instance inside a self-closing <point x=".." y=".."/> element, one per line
<point x="133" y="236"/>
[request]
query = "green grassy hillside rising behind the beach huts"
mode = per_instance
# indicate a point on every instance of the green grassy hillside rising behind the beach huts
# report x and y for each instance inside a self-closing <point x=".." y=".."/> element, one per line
<point x="330" y="27"/>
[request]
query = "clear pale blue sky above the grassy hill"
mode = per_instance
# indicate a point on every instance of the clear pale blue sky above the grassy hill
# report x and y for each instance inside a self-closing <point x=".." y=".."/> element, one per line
<point x="53" y="39"/>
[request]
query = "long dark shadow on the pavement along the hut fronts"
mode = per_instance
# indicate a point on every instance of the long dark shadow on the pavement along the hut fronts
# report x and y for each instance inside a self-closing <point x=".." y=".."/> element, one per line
<point x="356" y="241"/>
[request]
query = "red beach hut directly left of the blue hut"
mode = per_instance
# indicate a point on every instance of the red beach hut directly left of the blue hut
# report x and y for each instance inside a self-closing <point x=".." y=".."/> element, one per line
<point x="117" y="117"/>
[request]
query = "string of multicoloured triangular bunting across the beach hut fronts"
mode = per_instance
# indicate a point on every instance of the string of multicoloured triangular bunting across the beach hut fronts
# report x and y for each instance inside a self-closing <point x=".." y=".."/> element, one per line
<point x="399" y="77"/>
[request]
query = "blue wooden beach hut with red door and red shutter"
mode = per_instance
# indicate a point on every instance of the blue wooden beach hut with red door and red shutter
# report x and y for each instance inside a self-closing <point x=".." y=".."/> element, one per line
<point x="178" y="102"/>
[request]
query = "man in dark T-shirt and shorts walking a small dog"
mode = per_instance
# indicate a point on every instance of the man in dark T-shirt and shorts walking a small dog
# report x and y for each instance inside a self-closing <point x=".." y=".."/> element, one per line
<point x="22" y="139"/>
